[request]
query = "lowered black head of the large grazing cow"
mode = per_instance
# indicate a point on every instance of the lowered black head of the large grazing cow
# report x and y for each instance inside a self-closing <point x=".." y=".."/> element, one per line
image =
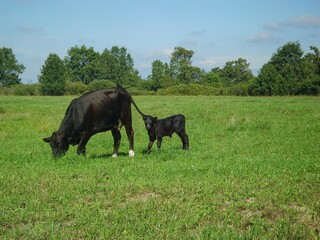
<point x="58" y="143"/>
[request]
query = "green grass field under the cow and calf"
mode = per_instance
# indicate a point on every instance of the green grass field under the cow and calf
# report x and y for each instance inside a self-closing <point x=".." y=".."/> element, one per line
<point x="252" y="172"/>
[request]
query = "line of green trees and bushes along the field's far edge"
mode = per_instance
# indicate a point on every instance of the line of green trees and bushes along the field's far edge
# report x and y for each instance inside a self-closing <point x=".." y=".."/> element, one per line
<point x="289" y="72"/>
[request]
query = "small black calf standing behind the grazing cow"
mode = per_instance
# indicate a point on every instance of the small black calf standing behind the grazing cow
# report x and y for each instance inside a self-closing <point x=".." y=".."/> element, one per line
<point x="158" y="128"/>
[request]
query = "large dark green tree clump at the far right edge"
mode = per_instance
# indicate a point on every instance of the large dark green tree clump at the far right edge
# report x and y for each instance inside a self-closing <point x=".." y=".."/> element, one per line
<point x="289" y="73"/>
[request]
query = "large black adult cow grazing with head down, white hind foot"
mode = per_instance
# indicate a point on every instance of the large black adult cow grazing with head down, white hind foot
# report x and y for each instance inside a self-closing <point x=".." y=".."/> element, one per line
<point x="94" y="112"/>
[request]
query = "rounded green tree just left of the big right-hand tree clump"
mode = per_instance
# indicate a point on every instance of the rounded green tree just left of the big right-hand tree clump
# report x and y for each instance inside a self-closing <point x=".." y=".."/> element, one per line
<point x="235" y="72"/>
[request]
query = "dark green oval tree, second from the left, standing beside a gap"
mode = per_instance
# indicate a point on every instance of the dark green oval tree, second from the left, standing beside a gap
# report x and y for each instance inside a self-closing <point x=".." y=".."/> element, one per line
<point x="53" y="76"/>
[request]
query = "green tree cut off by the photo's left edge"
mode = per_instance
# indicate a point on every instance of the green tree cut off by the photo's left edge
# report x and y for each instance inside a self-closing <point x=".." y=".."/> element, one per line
<point x="10" y="69"/>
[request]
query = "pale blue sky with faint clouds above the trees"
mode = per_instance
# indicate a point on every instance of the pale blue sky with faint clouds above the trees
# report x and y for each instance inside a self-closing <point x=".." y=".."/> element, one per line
<point x="217" y="31"/>
